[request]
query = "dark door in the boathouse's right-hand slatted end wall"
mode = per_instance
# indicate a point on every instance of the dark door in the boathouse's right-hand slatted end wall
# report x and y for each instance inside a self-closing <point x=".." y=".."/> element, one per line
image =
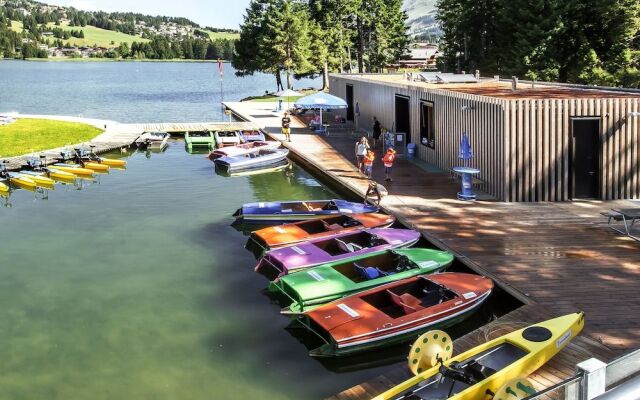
<point x="585" y="166"/>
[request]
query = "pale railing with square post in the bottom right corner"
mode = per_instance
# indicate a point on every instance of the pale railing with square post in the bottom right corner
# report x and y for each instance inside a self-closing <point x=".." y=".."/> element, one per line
<point x="596" y="379"/>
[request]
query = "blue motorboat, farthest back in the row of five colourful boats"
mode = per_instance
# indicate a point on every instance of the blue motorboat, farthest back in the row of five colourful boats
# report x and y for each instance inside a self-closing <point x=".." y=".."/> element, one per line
<point x="291" y="211"/>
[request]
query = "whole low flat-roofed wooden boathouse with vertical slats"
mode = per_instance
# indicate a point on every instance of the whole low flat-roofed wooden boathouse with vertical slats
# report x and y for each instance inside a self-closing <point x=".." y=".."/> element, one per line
<point x="533" y="142"/>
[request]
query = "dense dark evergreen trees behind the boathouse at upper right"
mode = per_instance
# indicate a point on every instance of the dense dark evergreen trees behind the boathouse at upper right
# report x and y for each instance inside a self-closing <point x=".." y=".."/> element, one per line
<point x="578" y="41"/>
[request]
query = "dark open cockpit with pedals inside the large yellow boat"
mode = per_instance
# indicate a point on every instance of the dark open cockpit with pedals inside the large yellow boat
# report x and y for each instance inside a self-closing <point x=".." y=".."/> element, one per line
<point x="459" y="376"/>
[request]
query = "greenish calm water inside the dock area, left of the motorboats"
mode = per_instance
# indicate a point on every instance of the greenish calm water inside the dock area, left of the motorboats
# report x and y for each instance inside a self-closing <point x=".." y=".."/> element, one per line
<point x="137" y="287"/>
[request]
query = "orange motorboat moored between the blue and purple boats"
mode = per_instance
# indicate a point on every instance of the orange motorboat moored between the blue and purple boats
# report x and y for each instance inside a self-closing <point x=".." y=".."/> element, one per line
<point x="289" y="234"/>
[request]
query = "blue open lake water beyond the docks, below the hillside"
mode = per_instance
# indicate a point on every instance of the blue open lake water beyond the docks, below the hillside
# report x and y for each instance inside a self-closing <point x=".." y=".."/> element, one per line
<point x="128" y="91"/>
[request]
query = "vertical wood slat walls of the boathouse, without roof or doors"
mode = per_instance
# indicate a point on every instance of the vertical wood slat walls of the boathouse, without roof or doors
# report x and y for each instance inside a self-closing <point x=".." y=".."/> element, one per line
<point x="521" y="146"/>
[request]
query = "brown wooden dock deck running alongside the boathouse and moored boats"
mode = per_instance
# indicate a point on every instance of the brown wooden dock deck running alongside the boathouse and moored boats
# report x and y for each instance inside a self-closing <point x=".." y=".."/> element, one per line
<point x="556" y="258"/>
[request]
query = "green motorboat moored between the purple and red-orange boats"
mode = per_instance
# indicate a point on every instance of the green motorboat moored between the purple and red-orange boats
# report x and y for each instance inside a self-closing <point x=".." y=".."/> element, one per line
<point x="319" y="285"/>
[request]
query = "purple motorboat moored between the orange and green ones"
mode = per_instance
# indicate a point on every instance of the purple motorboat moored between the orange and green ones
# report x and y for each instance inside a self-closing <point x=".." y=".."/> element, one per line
<point x="340" y="247"/>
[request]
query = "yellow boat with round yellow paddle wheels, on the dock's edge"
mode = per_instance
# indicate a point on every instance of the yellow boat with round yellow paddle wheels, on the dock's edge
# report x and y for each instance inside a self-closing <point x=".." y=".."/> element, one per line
<point x="483" y="369"/>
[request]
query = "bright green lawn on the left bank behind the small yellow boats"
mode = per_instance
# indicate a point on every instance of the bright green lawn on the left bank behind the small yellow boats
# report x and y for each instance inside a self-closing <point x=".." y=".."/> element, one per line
<point x="31" y="135"/>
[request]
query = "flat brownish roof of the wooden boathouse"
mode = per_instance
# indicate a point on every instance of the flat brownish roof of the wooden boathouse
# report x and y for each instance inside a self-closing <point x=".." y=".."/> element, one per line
<point x="501" y="90"/>
